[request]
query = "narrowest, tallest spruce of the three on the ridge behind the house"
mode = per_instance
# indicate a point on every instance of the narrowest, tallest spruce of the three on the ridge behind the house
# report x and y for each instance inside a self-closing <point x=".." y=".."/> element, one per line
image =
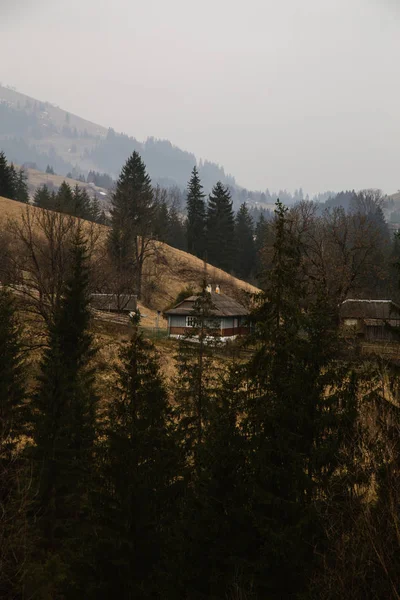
<point x="196" y="216"/>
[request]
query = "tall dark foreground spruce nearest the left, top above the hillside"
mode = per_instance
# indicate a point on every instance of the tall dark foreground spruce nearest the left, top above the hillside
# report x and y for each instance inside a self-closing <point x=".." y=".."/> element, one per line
<point x="64" y="433"/>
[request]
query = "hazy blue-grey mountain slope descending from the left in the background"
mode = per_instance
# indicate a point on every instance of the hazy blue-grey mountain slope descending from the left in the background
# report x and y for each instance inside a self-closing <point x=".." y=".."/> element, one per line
<point x="39" y="134"/>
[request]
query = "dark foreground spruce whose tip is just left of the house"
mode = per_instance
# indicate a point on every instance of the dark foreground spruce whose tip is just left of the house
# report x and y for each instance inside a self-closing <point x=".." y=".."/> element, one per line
<point x="141" y="472"/>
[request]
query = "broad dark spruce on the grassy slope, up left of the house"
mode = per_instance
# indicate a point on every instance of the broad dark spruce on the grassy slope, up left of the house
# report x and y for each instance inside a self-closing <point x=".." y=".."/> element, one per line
<point x="132" y="221"/>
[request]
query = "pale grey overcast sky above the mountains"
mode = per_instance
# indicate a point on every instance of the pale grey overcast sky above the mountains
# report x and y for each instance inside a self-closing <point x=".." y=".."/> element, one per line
<point x="282" y="93"/>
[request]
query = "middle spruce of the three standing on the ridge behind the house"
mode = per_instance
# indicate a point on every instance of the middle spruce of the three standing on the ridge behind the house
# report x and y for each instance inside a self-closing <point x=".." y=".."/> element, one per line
<point x="220" y="228"/>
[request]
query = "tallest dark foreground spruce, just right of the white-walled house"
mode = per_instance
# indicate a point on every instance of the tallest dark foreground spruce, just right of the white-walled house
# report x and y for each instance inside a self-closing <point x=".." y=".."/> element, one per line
<point x="295" y="417"/>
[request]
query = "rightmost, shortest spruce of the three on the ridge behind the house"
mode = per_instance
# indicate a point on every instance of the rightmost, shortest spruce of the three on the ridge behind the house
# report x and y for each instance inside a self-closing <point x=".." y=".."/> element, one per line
<point x="244" y="241"/>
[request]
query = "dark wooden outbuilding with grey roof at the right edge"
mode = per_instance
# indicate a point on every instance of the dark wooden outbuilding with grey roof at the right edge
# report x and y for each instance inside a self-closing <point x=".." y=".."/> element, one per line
<point x="374" y="320"/>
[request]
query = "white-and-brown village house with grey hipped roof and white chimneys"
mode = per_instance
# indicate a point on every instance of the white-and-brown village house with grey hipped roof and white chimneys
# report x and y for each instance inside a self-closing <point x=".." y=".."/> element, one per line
<point x="229" y="316"/>
